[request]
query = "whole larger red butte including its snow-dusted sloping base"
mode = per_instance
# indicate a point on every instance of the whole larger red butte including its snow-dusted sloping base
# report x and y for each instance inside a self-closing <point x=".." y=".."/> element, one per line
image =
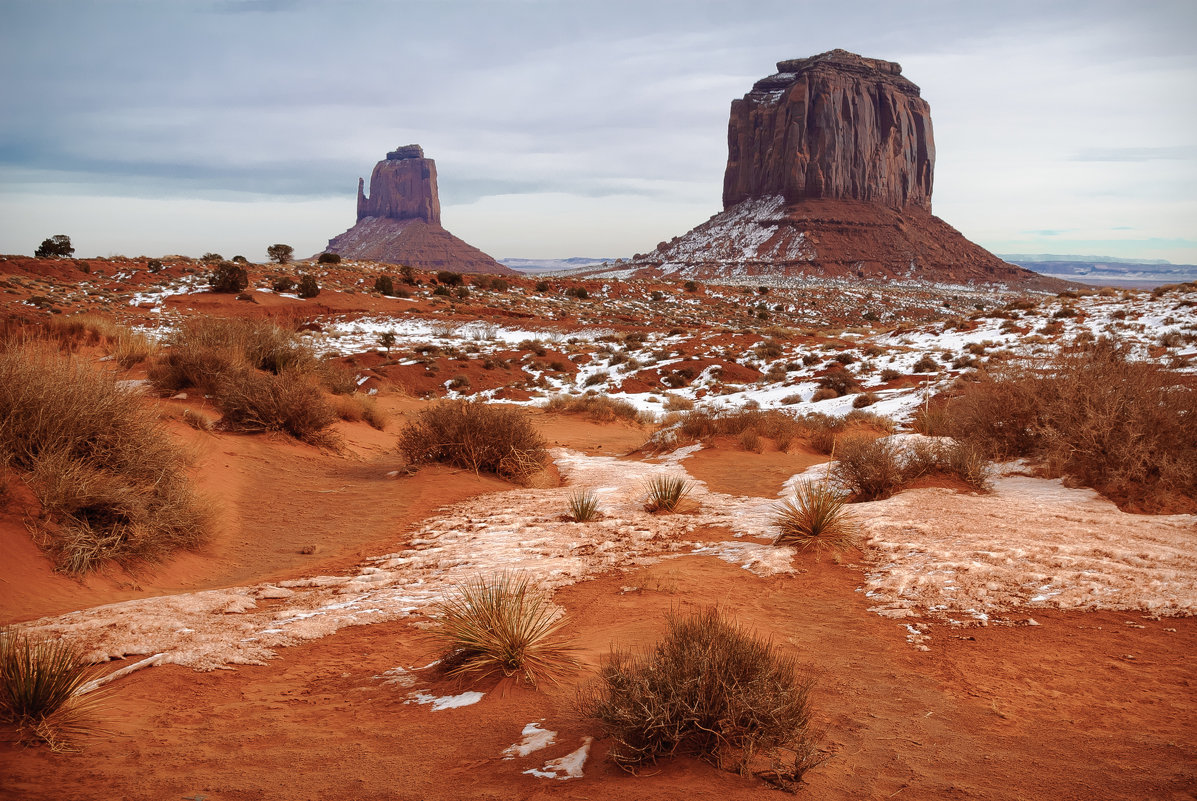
<point x="830" y="172"/>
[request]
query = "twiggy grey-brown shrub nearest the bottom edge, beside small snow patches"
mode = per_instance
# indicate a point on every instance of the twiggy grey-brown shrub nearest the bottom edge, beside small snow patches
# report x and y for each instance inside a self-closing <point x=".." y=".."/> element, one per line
<point x="709" y="689"/>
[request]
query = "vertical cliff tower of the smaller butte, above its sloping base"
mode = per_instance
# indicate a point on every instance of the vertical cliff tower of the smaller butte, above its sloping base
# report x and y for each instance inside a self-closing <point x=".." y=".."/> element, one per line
<point x="404" y="186"/>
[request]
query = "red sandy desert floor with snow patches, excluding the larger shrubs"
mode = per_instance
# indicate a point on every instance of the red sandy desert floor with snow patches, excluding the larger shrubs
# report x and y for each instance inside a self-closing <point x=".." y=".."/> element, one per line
<point x="1031" y="642"/>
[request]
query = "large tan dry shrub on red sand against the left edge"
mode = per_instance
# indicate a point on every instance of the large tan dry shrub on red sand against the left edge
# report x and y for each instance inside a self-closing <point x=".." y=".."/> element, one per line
<point x="99" y="460"/>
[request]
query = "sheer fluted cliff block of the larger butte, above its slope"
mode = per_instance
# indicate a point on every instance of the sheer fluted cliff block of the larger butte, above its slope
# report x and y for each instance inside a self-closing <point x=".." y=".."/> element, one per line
<point x="836" y="125"/>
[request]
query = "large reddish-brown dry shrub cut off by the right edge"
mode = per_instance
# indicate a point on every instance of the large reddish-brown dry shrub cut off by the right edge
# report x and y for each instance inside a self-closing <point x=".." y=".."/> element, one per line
<point x="1123" y="428"/>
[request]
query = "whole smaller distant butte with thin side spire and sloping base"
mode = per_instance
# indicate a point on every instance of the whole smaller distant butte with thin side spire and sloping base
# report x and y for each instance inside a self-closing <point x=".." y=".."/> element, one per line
<point x="400" y="222"/>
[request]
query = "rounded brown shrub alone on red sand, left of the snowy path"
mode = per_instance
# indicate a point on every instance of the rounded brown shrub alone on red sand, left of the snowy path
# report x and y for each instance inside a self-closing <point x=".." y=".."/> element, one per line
<point x="477" y="436"/>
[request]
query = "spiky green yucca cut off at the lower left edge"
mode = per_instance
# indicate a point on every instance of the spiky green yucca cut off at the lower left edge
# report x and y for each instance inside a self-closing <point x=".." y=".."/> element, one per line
<point x="41" y="683"/>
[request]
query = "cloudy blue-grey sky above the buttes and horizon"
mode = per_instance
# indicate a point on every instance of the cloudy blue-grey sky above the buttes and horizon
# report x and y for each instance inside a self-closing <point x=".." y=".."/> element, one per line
<point x="569" y="129"/>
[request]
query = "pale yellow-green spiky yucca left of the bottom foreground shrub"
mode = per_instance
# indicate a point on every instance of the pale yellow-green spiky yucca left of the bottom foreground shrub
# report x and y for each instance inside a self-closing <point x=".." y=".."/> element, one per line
<point x="503" y="624"/>
